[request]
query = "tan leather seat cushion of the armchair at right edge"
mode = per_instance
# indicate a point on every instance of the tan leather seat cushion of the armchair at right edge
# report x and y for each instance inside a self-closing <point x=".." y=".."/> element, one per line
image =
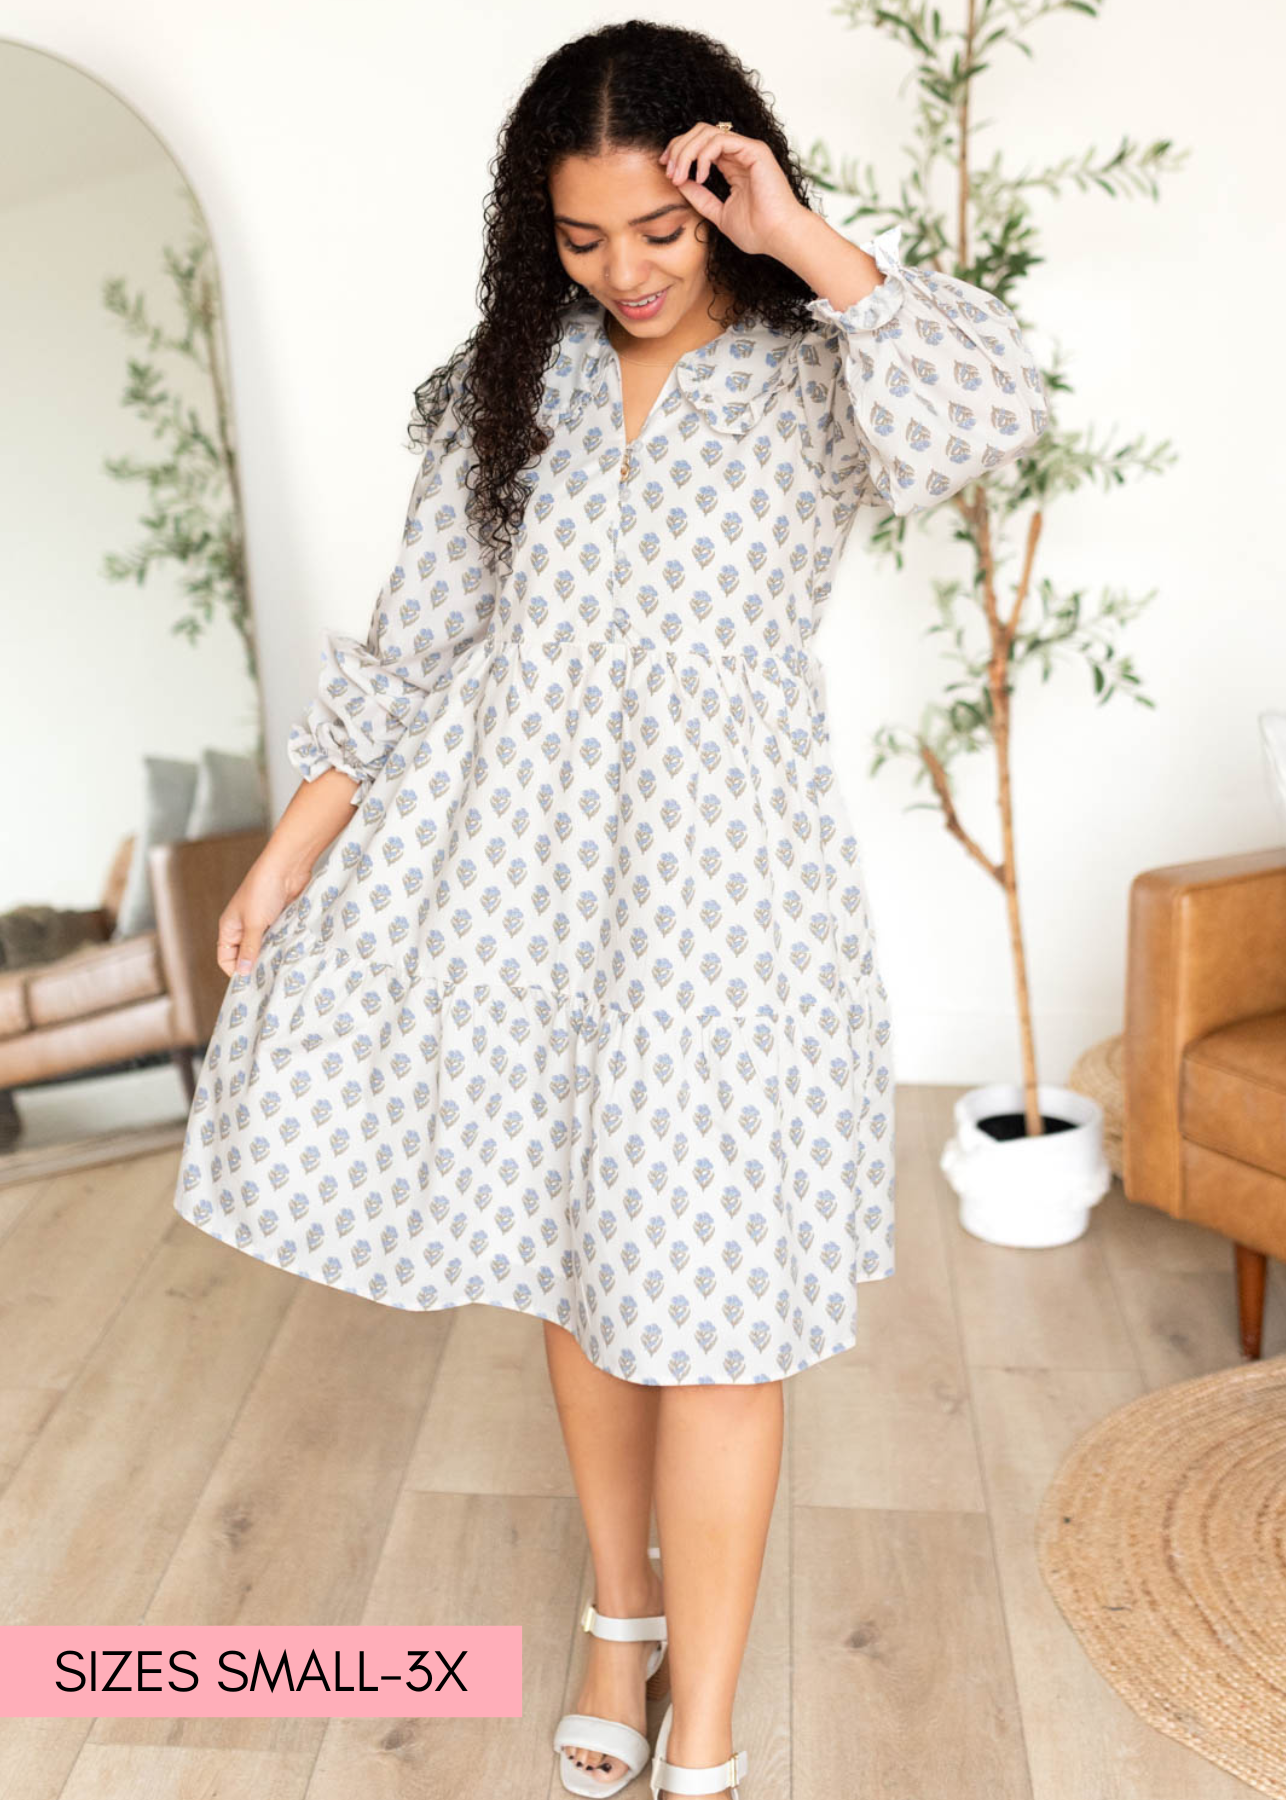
<point x="1233" y="1092"/>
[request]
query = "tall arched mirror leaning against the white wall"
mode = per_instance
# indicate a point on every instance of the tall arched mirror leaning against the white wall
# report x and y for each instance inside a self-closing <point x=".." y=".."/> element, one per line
<point x="132" y="733"/>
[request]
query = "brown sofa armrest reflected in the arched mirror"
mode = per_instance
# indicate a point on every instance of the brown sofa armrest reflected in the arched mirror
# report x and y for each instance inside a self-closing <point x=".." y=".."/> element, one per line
<point x="192" y="883"/>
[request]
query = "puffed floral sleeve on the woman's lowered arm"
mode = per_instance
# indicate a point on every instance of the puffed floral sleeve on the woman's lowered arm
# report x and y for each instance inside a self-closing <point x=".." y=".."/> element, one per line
<point x="433" y="607"/>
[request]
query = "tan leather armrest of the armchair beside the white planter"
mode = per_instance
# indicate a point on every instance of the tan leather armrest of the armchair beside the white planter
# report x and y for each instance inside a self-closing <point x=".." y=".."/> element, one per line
<point x="1208" y="946"/>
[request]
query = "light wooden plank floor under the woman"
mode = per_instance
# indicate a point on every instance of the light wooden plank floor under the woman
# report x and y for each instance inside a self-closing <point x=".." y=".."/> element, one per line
<point x="188" y="1437"/>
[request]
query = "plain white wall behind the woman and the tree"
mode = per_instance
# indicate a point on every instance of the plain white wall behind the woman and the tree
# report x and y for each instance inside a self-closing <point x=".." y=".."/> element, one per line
<point x="341" y="157"/>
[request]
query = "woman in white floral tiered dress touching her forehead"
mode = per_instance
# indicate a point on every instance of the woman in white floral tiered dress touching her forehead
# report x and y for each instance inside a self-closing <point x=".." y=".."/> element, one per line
<point x="581" y="1016"/>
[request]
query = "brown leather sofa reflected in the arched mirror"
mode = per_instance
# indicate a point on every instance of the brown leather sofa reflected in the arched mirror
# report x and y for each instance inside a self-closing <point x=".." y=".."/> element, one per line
<point x="111" y="1002"/>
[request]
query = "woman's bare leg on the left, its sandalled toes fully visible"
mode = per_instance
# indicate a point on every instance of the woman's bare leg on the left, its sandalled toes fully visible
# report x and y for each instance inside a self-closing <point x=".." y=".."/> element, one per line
<point x="610" y="1430"/>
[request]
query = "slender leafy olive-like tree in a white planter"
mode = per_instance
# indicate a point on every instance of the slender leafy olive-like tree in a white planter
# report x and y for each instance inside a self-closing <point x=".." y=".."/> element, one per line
<point x="1028" y="1156"/>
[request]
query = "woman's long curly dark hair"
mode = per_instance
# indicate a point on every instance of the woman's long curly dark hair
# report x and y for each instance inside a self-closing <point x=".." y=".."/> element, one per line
<point x="633" y="85"/>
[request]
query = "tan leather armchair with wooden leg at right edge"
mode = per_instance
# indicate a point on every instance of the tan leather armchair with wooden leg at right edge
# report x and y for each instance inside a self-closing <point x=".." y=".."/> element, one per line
<point x="1206" y="1057"/>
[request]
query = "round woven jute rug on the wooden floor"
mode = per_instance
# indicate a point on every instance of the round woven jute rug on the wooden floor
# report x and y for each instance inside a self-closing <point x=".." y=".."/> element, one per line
<point x="1163" y="1538"/>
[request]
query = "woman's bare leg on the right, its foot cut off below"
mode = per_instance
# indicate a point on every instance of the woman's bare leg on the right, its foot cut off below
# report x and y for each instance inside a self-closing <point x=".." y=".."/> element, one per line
<point x="718" y="1464"/>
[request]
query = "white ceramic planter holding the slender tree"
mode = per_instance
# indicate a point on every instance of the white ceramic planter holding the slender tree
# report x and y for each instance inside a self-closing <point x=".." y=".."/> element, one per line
<point x="1028" y="1192"/>
